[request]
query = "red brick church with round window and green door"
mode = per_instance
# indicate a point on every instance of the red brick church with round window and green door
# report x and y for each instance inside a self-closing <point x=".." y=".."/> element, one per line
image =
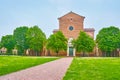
<point x="70" y="25"/>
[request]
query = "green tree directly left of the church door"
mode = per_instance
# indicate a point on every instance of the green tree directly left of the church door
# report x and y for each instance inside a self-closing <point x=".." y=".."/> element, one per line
<point x="57" y="42"/>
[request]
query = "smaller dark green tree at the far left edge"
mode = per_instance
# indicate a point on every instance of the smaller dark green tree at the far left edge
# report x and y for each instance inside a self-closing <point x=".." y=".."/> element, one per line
<point x="8" y="42"/>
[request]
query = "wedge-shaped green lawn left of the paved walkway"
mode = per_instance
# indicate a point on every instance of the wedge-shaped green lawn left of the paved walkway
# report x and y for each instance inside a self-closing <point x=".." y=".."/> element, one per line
<point x="10" y="64"/>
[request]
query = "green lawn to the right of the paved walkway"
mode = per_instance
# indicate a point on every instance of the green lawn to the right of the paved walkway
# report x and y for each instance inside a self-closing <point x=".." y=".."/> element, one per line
<point x="94" y="69"/>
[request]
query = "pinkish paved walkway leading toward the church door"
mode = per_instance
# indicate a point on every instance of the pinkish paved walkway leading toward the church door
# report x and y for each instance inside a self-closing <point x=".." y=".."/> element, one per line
<point x="54" y="70"/>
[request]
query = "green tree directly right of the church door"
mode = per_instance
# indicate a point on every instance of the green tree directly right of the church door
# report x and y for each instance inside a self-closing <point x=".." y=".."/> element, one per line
<point x="84" y="43"/>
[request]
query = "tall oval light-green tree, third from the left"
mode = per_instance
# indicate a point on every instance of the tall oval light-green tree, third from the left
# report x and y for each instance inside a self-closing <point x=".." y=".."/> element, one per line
<point x="36" y="39"/>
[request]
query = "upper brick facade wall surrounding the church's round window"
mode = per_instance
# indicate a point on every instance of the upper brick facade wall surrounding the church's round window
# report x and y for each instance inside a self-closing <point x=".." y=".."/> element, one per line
<point x="68" y="20"/>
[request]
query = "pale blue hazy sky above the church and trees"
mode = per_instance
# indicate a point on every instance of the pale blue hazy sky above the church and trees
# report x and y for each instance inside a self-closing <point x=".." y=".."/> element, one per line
<point x="45" y="13"/>
